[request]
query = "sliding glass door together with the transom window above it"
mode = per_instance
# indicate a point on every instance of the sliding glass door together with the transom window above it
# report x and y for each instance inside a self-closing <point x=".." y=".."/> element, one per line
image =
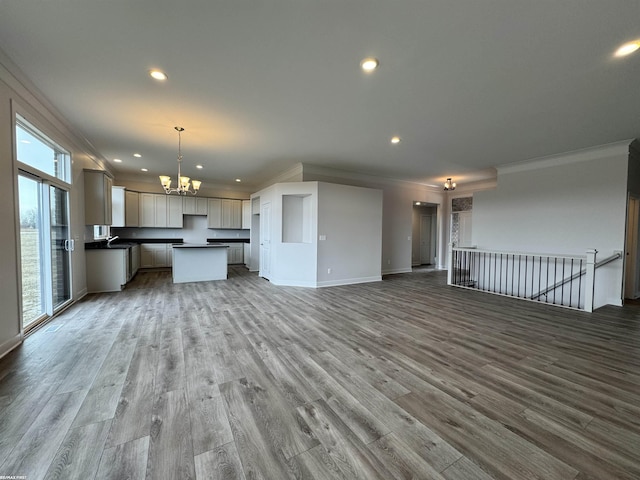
<point x="45" y="236"/>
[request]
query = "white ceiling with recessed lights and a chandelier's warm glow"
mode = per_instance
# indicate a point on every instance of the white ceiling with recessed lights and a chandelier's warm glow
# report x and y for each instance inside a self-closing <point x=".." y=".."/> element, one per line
<point x="260" y="86"/>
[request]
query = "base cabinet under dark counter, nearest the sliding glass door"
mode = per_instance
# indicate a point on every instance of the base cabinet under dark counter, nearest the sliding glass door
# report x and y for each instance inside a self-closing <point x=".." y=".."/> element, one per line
<point x="107" y="269"/>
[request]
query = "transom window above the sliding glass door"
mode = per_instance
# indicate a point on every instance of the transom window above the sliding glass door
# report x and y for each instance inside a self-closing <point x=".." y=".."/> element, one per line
<point x="39" y="152"/>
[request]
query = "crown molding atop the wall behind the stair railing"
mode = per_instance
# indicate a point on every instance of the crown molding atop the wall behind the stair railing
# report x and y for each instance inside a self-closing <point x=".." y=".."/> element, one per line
<point x="575" y="156"/>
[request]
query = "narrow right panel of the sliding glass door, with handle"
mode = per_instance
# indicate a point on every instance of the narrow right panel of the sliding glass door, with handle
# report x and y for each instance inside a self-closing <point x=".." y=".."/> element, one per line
<point x="60" y="246"/>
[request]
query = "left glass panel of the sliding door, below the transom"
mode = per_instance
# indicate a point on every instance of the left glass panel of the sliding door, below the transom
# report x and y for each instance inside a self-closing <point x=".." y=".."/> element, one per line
<point x="31" y="248"/>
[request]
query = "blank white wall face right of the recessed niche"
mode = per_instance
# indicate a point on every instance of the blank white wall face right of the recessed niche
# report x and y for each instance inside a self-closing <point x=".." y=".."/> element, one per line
<point x="350" y="220"/>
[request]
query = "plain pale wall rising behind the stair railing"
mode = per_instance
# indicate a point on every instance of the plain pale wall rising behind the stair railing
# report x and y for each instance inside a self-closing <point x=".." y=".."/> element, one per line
<point x="565" y="204"/>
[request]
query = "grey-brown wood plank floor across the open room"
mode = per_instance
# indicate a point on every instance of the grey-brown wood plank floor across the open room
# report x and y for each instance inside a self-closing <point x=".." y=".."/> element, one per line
<point x="399" y="379"/>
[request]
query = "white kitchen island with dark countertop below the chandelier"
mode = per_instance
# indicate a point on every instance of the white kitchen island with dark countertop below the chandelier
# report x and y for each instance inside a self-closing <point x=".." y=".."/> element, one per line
<point x="194" y="262"/>
